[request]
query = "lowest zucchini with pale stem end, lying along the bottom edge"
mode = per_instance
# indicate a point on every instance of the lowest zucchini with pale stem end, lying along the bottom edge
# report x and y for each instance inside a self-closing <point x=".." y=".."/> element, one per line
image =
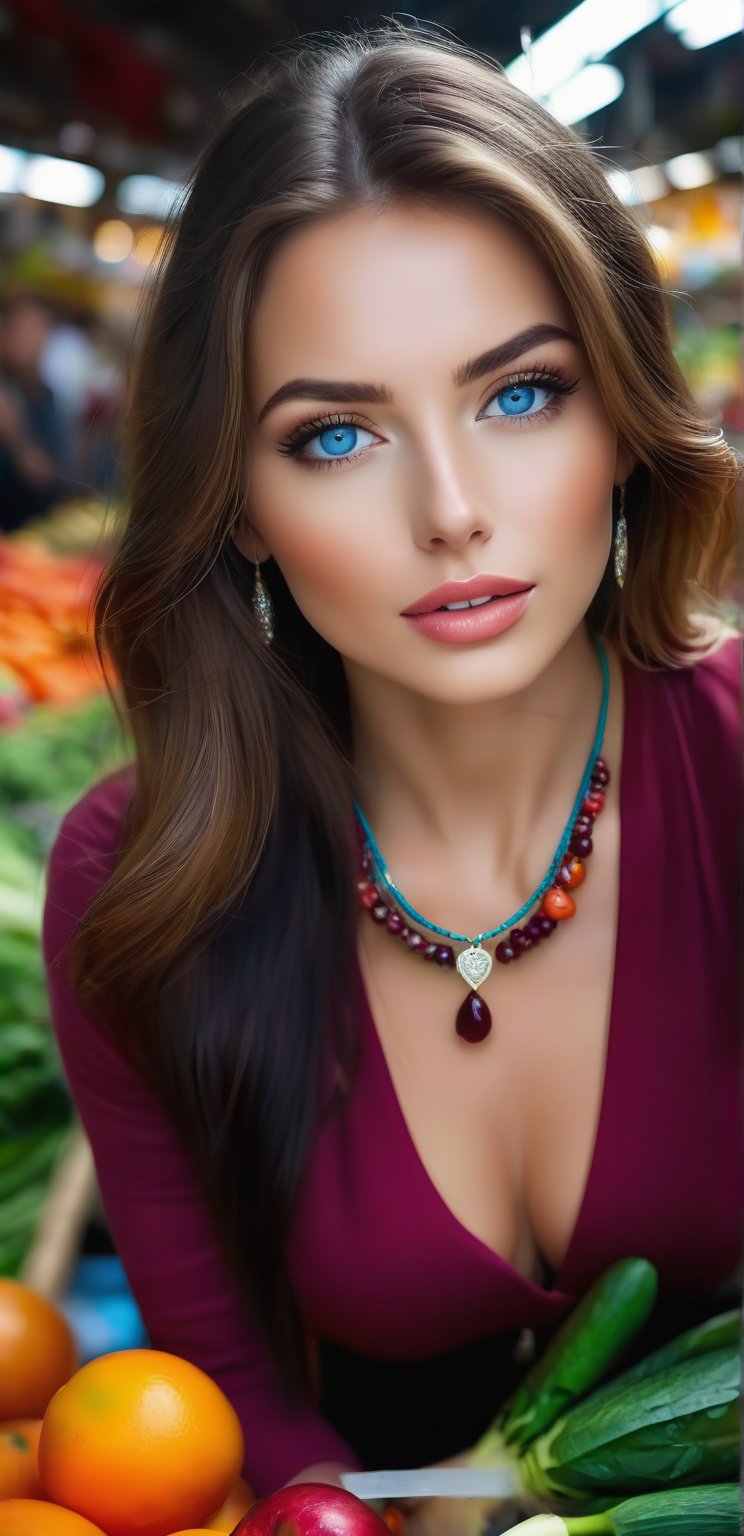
<point x="680" y="1512"/>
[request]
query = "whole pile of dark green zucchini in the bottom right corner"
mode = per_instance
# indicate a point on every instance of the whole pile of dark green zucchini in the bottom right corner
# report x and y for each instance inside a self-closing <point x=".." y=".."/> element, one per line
<point x="649" y="1452"/>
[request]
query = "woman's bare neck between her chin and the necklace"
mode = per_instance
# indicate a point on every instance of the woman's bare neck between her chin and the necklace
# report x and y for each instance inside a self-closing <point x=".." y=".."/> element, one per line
<point x="480" y="792"/>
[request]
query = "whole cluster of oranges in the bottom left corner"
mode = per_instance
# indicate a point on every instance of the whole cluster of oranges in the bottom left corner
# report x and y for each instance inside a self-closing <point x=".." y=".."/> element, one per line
<point x="139" y="1443"/>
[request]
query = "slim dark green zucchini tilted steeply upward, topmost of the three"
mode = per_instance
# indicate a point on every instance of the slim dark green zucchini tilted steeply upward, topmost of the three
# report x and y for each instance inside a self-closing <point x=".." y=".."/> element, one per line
<point x="585" y="1346"/>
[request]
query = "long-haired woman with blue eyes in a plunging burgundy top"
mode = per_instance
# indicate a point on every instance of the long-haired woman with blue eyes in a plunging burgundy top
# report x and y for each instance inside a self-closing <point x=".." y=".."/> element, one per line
<point x="342" y="1177"/>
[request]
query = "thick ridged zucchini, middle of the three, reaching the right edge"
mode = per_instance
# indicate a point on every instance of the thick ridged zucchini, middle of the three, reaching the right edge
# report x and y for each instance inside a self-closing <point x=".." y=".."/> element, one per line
<point x="680" y="1426"/>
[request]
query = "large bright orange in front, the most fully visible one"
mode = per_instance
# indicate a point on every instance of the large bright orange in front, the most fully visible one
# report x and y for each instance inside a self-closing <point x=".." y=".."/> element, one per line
<point x="141" y="1443"/>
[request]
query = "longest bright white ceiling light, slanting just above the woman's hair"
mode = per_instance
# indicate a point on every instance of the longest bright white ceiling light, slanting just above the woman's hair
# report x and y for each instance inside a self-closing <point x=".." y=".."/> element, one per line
<point x="588" y="33"/>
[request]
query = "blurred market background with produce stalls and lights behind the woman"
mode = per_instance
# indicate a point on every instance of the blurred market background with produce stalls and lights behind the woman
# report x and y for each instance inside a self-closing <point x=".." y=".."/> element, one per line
<point x="104" y="110"/>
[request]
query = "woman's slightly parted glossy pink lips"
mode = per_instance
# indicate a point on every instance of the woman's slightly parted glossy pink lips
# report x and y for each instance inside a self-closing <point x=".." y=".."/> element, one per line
<point x="468" y="626"/>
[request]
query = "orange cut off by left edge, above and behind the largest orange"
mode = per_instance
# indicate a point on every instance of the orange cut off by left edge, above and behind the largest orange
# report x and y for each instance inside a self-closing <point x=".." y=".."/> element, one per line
<point x="38" y="1352"/>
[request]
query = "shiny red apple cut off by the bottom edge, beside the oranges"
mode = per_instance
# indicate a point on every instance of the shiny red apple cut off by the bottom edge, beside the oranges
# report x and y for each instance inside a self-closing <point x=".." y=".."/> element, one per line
<point x="311" y="1509"/>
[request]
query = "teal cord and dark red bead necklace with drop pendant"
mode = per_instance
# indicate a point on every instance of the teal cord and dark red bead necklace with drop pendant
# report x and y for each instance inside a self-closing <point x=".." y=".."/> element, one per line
<point x="387" y="904"/>
